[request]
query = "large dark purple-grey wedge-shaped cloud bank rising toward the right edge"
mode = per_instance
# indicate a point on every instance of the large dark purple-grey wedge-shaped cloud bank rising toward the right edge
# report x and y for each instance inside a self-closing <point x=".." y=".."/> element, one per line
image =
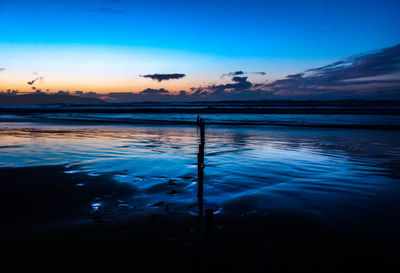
<point x="374" y="75"/>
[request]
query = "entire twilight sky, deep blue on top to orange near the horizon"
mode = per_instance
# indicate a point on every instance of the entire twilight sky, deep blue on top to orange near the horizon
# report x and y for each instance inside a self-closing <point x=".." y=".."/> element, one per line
<point x="120" y="46"/>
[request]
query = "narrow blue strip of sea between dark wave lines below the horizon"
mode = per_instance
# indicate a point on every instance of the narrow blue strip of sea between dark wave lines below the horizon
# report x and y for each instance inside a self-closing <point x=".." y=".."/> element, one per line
<point x="305" y="120"/>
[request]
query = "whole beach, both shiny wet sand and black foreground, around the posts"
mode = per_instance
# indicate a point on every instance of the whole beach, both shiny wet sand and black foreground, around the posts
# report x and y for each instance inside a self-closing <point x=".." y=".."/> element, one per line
<point x="107" y="196"/>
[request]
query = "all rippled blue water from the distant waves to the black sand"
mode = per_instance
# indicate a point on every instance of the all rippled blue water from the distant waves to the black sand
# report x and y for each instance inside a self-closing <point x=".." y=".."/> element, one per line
<point x="341" y="175"/>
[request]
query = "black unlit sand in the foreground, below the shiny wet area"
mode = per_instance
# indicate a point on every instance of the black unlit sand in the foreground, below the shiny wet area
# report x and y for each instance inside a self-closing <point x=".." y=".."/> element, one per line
<point x="46" y="224"/>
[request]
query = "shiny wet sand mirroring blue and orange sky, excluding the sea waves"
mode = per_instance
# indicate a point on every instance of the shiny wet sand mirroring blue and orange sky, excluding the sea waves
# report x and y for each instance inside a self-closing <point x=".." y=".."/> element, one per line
<point x="302" y="166"/>
